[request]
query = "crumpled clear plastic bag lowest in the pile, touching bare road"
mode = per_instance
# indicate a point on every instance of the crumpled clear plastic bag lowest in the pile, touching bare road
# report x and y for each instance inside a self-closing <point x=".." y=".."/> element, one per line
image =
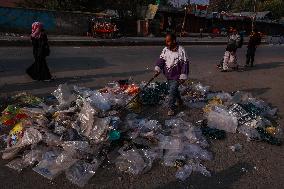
<point x="81" y="172"/>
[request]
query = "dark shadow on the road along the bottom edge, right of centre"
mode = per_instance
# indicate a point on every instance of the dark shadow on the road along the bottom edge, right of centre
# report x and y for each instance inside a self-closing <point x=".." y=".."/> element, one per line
<point x="223" y="179"/>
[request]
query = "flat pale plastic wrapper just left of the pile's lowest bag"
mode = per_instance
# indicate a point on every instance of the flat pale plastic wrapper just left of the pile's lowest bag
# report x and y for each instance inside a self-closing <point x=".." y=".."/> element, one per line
<point x="53" y="164"/>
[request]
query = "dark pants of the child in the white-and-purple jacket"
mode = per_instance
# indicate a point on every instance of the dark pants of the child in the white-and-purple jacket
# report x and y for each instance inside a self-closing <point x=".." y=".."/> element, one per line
<point x="174" y="93"/>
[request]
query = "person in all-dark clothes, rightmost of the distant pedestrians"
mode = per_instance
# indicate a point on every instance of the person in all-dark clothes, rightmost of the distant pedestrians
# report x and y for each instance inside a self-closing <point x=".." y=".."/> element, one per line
<point x="254" y="41"/>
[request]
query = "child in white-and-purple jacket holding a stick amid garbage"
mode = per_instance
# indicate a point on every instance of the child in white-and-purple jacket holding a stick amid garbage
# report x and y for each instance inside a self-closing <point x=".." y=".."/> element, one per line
<point x="174" y="64"/>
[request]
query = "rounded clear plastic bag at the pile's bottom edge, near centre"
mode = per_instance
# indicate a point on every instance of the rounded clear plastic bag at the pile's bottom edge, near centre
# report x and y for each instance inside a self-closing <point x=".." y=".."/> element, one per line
<point x="131" y="162"/>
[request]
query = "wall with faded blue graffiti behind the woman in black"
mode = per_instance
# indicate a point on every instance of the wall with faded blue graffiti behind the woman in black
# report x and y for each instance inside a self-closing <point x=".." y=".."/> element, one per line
<point x="20" y="20"/>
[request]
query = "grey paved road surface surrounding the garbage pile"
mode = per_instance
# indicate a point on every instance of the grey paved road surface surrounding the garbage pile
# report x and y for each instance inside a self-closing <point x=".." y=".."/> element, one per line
<point x="258" y="165"/>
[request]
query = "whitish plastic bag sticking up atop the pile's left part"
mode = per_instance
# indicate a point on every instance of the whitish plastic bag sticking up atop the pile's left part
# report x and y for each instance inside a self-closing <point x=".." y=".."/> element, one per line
<point x="64" y="95"/>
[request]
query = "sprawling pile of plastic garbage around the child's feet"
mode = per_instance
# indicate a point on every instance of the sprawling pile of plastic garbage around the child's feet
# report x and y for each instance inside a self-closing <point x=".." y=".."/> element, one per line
<point x="80" y="130"/>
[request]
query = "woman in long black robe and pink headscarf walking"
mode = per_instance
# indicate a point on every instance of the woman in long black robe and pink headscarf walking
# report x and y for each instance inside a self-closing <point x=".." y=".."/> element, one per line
<point x="39" y="70"/>
